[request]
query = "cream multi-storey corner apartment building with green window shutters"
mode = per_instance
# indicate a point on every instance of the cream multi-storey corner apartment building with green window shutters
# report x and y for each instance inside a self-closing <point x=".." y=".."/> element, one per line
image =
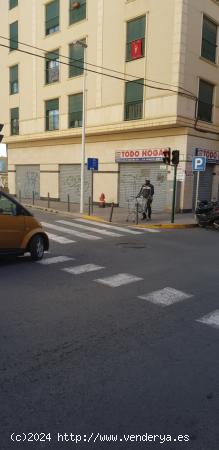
<point x="152" y="77"/>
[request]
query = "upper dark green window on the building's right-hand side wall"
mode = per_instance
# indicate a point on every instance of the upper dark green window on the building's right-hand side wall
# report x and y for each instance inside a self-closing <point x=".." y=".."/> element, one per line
<point x="209" y="39"/>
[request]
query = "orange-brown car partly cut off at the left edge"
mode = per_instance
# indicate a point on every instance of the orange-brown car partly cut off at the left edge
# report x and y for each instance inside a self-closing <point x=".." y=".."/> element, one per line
<point x="20" y="232"/>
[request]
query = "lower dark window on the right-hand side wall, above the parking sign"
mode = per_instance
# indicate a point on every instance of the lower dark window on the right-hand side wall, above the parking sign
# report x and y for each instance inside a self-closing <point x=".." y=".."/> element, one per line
<point x="205" y="99"/>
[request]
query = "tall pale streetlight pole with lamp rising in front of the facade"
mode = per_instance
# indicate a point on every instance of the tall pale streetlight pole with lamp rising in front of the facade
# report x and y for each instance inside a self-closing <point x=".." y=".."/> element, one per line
<point x="84" y="45"/>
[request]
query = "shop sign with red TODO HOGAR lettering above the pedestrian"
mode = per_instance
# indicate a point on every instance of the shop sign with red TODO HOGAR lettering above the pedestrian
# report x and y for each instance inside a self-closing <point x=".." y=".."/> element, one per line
<point x="146" y="155"/>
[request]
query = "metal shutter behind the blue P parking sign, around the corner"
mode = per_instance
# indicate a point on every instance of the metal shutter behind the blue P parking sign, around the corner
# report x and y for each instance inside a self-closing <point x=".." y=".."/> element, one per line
<point x="205" y="184"/>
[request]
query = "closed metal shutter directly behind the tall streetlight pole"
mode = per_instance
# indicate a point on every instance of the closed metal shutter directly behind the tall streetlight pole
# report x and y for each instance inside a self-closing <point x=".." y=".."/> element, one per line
<point x="70" y="183"/>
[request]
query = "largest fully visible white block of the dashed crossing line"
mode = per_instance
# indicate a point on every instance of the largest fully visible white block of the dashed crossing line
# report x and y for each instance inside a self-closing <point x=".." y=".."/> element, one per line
<point x="165" y="297"/>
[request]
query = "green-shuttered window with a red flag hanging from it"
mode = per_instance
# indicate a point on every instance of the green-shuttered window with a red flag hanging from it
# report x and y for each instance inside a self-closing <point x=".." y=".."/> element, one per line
<point x="135" y="41"/>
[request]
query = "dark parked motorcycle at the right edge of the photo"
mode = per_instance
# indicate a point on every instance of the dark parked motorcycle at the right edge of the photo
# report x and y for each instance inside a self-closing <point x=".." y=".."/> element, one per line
<point x="207" y="214"/>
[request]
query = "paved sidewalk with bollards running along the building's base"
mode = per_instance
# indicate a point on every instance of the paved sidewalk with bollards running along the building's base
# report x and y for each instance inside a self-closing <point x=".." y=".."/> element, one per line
<point x="120" y="215"/>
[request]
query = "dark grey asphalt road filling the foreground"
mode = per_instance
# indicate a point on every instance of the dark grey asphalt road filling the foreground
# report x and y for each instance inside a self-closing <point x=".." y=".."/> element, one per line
<point x="80" y="356"/>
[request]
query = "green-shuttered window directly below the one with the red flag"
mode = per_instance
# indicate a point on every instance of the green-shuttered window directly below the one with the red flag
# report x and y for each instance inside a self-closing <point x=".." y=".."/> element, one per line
<point x="134" y="100"/>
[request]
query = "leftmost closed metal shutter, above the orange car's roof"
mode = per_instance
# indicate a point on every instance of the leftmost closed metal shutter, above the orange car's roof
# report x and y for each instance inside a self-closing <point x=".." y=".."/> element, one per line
<point x="28" y="181"/>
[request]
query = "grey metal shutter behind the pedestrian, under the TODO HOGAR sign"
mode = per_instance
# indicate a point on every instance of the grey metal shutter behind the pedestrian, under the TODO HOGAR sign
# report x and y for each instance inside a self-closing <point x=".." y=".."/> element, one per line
<point x="132" y="176"/>
